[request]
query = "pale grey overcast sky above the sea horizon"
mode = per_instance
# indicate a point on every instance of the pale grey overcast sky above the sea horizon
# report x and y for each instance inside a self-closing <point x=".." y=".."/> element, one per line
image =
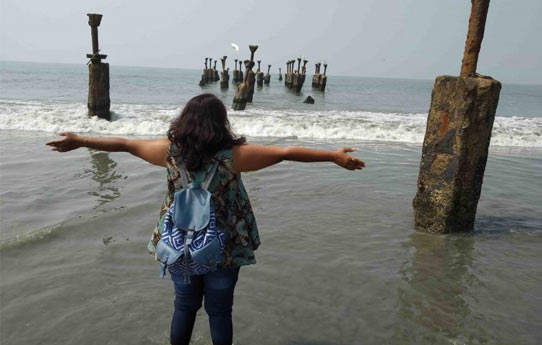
<point x="376" y="38"/>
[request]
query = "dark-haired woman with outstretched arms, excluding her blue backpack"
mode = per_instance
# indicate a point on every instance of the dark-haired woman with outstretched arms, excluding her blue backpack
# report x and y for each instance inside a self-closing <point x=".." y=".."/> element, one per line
<point x="199" y="137"/>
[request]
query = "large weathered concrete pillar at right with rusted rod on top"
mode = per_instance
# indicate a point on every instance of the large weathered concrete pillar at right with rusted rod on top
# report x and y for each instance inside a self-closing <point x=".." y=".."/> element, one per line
<point x="457" y="138"/>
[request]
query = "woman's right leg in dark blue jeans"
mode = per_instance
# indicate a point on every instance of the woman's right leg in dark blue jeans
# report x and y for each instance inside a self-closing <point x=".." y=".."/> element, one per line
<point x="218" y="291"/>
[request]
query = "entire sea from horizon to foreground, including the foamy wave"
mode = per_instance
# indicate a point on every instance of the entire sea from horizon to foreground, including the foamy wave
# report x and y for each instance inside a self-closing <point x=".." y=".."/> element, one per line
<point x="340" y="261"/>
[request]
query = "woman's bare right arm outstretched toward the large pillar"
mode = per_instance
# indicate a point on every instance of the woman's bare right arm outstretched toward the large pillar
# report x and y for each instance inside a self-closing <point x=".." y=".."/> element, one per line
<point x="251" y="157"/>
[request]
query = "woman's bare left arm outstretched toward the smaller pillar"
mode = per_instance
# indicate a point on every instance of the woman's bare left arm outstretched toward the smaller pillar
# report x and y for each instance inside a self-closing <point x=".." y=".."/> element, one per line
<point x="153" y="151"/>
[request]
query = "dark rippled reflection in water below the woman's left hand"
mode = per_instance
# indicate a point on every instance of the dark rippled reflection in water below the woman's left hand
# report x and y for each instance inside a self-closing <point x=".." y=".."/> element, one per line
<point x="103" y="171"/>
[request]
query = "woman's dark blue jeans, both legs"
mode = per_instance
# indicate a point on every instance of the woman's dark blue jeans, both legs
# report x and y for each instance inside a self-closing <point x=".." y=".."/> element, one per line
<point x="217" y="288"/>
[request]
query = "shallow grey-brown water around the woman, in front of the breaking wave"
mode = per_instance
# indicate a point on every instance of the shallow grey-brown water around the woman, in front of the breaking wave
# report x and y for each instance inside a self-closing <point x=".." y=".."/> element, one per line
<point x="340" y="262"/>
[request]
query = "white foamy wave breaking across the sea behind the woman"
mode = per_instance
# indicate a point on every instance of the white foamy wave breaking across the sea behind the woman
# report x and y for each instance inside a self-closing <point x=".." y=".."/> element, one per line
<point x="154" y="120"/>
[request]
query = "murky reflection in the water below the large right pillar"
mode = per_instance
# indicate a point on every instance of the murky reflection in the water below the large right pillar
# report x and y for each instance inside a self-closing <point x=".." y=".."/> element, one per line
<point x="433" y="297"/>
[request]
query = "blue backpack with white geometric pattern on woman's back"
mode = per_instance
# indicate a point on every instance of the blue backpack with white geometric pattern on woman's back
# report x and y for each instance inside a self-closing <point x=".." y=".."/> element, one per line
<point x="191" y="243"/>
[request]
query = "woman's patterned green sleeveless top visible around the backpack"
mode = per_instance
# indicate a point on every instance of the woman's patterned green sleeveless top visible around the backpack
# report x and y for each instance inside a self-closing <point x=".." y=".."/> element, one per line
<point x="242" y="237"/>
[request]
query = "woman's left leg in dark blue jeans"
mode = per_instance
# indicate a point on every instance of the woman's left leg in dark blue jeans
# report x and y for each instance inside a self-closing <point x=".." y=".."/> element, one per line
<point x="188" y="299"/>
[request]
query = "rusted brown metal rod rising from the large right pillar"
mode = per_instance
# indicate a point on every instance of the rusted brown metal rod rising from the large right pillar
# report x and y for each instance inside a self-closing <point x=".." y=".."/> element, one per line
<point x="475" y="35"/>
